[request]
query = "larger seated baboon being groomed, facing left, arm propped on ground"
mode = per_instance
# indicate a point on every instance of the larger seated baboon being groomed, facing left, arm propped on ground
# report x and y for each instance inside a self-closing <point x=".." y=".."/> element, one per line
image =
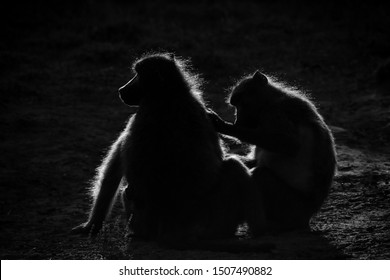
<point x="181" y="188"/>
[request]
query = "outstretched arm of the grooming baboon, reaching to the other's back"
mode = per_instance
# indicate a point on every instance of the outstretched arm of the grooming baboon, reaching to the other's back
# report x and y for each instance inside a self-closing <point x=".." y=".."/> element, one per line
<point x="278" y="142"/>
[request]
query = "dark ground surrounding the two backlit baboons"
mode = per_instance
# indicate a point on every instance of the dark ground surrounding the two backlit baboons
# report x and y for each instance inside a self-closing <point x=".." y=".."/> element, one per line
<point x="60" y="69"/>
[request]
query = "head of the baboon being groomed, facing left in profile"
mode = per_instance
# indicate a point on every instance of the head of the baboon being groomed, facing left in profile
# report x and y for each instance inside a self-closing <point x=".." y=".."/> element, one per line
<point x="153" y="74"/>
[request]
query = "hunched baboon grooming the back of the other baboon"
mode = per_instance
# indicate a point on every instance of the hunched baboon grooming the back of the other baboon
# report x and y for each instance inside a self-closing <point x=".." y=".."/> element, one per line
<point x="295" y="155"/>
